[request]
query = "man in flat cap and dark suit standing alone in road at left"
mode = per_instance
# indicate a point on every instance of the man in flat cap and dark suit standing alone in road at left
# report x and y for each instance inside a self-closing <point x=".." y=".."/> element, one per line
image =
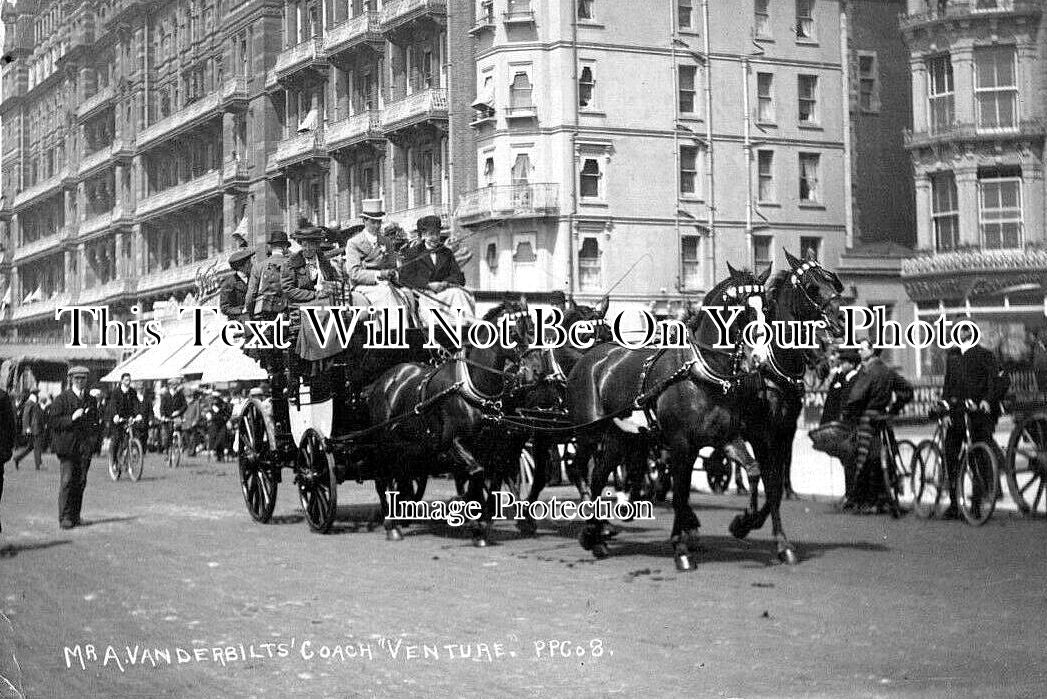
<point x="76" y="424"/>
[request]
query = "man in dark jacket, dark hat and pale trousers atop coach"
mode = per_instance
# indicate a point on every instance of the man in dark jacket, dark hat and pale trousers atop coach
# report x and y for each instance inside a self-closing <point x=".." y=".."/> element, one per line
<point x="433" y="269"/>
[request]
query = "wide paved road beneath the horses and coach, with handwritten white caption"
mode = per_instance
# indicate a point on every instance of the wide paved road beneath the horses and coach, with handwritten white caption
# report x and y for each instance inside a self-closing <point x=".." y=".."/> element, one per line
<point x="173" y="566"/>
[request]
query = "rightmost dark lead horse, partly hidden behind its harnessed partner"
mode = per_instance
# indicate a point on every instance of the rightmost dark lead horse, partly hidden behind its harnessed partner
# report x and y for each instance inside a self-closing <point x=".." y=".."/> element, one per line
<point x="771" y="411"/>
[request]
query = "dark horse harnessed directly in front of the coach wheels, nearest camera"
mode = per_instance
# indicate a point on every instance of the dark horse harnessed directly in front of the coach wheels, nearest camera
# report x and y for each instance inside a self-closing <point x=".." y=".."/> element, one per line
<point x="436" y="415"/>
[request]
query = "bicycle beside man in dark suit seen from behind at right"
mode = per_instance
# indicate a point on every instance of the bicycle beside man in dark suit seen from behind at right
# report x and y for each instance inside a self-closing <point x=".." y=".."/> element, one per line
<point x="978" y="480"/>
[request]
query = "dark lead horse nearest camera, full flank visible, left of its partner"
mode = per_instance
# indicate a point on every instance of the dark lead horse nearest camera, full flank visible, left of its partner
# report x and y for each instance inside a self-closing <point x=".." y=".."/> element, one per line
<point x="687" y="392"/>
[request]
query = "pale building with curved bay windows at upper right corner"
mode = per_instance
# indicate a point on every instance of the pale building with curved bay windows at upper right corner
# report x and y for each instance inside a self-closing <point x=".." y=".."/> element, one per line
<point x="979" y="86"/>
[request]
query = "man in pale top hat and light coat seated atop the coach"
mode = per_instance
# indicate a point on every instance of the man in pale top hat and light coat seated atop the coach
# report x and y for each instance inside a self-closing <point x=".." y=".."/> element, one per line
<point x="371" y="261"/>
